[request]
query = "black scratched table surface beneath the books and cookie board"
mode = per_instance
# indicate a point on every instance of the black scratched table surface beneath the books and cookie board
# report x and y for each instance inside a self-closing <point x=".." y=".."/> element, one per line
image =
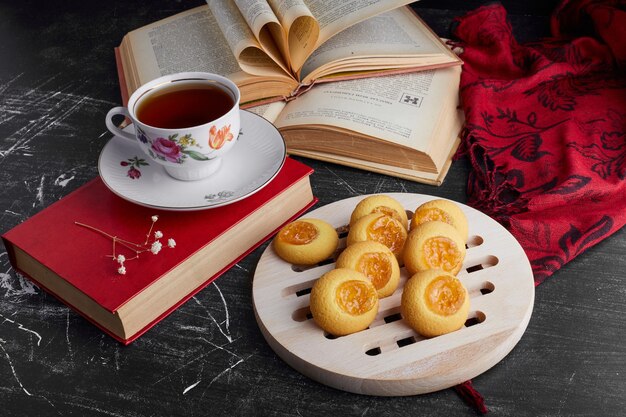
<point x="57" y="81"/>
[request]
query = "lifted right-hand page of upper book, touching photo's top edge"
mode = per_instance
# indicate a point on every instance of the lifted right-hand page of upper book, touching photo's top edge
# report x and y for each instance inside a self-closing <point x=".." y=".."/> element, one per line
<point x="334" y="16"/>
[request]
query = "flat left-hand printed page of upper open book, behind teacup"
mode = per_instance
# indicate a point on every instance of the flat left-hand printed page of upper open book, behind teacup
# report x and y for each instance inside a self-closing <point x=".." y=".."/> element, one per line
<point x="179" y="43"/>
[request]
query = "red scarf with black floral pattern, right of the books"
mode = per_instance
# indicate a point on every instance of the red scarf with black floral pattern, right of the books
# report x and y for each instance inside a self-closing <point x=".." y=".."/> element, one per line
<point x="546" y="127"/>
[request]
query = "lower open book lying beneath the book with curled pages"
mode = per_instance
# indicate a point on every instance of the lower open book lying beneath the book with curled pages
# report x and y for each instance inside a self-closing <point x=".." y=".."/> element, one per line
<point x="404" y="125"/>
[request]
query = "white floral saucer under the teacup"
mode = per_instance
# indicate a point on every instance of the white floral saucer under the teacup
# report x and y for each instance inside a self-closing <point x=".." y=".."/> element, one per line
<point x="253" y="162"/>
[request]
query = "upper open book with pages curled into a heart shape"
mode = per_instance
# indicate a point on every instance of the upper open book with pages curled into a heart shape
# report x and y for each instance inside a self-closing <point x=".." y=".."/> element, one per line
<point x="275" y="49"/>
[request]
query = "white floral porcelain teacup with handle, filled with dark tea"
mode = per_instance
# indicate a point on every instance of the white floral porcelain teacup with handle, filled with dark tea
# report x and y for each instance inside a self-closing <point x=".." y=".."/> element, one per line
<point x="183" y="121"/>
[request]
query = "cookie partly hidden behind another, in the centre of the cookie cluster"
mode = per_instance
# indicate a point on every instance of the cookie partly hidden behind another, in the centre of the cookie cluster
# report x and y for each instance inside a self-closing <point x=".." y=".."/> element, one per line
<point x="381" y="228"/>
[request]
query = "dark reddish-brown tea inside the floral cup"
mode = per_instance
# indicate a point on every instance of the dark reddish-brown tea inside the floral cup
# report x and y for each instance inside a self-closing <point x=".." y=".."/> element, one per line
<point x="184" y="104"/>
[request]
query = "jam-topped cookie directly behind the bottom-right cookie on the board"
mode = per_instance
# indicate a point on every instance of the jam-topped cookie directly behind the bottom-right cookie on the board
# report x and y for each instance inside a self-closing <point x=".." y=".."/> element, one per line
<point x="433" y="245"/>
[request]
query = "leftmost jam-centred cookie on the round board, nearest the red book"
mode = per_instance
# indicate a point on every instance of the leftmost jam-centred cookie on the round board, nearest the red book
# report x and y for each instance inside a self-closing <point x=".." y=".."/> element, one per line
<point x="306" y="241"/>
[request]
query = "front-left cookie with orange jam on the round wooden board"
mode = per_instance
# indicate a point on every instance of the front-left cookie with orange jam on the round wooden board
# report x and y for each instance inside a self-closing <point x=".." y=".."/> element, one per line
<point x="343" y="301"/>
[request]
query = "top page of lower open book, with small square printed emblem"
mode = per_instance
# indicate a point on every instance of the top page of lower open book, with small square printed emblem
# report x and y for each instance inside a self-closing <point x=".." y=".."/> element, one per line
<point x="402" y="109"/>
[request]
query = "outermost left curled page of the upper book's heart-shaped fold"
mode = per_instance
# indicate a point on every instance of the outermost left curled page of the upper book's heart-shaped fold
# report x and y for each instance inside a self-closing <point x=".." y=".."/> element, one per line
<point x="253" y="57"/>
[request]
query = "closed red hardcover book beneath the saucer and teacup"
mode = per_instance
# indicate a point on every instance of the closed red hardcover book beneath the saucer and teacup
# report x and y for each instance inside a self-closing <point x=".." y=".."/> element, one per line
<point x="72" y="263"/>
